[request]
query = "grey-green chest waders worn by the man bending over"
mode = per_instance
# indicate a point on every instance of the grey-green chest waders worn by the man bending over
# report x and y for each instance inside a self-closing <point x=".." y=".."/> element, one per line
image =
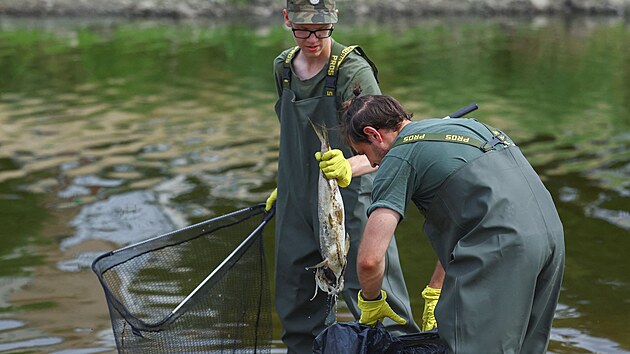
<point x="496" y="231"/>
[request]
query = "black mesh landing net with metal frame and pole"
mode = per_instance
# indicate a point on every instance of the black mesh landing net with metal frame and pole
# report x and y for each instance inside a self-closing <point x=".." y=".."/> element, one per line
<point x="200" y="289"/>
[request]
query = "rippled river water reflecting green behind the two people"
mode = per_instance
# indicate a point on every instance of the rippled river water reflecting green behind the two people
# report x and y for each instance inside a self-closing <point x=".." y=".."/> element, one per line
<point x="113" y="131"/>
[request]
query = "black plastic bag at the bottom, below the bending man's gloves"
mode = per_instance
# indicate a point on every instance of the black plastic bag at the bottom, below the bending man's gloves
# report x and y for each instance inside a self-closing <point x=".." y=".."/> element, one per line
<point x="355" y="338"/>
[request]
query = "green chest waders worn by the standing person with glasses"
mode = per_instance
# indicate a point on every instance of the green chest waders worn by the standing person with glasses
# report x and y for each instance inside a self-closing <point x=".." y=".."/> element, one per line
<point x="297" y="226"/>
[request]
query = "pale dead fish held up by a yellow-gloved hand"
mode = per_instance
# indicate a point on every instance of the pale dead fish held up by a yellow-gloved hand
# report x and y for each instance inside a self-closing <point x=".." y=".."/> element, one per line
<point x="334" y="242"/>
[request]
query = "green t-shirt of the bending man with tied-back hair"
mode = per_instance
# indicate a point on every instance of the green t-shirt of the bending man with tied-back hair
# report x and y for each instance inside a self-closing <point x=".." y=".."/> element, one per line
<point x="415" y="171"/>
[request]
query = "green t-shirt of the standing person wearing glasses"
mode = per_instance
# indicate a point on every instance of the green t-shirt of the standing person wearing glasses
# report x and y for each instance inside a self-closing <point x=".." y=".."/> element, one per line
<point x="354" y="69"/>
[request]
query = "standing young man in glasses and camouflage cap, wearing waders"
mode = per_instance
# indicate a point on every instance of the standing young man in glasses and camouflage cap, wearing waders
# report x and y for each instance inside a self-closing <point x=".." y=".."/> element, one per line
<point x="313" y="79"/>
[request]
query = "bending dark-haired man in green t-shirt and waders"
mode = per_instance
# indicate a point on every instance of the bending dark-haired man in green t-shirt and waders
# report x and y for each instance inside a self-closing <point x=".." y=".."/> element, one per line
<point x="488" y="216"/>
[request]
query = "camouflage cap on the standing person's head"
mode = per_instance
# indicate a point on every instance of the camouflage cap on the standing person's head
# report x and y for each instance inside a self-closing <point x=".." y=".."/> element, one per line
<point x="312" y="11"/>
